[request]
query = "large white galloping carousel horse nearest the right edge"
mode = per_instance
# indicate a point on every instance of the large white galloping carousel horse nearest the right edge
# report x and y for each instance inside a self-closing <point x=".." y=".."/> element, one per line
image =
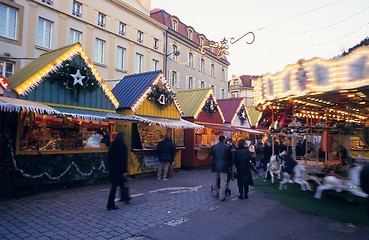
<point x="351" y="184"/>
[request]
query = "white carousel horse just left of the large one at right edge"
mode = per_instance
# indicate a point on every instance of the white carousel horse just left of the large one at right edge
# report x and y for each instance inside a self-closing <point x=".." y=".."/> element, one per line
<point x="299" y="177"/>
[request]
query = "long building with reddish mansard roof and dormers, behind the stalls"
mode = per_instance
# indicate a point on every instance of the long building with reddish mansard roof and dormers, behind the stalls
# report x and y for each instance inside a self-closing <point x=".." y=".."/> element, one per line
<point x="184" y="66"/>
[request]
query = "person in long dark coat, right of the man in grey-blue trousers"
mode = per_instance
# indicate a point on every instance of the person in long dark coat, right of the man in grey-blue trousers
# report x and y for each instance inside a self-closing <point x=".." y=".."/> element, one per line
<point x="243" y="165"/>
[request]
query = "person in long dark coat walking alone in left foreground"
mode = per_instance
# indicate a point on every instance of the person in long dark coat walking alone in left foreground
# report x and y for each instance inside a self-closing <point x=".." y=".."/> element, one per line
<point x="117" y="163"/>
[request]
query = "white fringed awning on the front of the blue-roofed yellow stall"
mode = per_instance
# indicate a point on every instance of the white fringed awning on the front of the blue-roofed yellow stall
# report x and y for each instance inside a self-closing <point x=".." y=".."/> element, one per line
<point x="164" y="122"/>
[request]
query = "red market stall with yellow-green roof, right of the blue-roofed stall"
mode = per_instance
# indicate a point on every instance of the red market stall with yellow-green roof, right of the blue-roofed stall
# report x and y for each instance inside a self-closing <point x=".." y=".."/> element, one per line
<point x="200" y="106"/>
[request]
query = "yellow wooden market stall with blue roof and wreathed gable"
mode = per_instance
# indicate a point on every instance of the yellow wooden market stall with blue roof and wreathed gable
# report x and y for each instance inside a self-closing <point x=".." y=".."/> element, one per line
<point x="150" y="111"/>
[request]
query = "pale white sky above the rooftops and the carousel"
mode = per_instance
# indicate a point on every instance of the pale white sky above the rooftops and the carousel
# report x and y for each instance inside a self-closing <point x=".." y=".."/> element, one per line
<point x="285" y="30"/>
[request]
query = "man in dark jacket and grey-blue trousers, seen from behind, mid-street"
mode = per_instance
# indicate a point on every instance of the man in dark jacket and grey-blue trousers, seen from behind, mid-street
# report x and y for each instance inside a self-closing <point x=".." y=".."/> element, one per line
<point x="221" y="155"/>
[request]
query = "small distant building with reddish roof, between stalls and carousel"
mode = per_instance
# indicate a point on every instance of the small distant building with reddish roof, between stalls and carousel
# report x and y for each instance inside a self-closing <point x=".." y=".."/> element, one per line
<point x="243" y="86"/>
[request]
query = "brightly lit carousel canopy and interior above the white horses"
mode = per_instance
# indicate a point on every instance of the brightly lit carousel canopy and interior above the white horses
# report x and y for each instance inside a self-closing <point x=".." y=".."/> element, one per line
<point x="316" y="96"/>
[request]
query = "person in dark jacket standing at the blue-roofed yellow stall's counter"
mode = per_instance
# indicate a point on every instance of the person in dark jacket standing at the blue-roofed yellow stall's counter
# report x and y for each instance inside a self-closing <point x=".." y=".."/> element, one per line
<point x="166" y="151"/>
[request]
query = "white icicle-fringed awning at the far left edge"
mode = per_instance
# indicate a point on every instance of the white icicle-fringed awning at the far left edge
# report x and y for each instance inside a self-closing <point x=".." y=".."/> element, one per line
<point x="16" y="105"/>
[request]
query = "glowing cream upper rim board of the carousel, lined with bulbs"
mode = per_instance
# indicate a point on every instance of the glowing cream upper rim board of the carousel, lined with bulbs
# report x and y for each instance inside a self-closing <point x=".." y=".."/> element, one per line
<point x="315" y="76"/>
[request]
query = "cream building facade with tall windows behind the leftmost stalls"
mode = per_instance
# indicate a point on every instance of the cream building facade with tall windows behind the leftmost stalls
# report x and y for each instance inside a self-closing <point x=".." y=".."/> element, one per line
<point x="118" y="35"/>
